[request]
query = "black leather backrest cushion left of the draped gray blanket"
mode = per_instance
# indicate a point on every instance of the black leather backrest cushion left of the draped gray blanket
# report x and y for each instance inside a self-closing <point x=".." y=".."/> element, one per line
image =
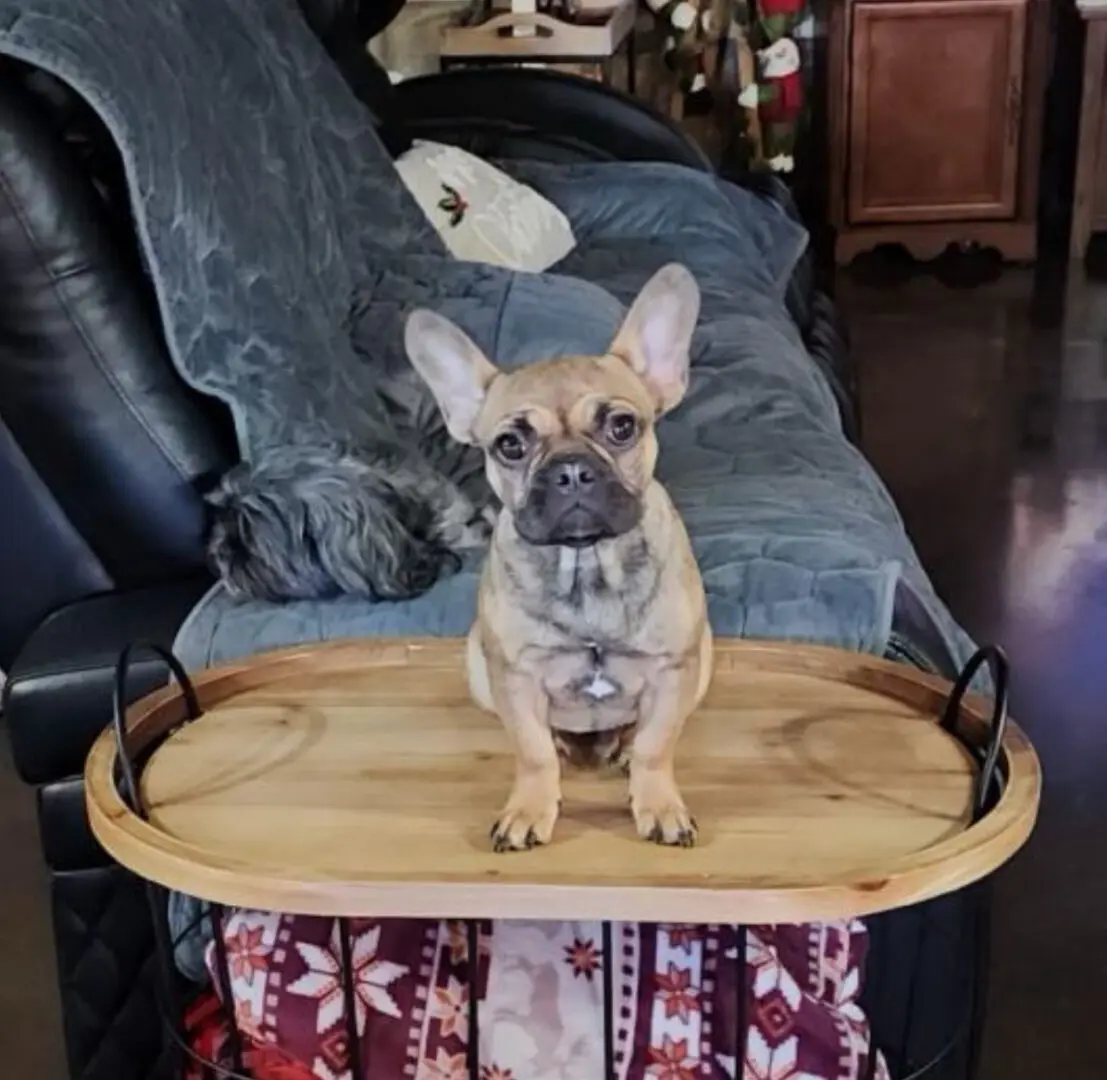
<point x="87" y="388"/>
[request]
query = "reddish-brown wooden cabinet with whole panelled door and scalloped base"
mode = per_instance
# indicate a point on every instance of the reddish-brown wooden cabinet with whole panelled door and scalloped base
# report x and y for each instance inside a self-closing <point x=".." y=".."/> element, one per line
<point x="936" y="109"/>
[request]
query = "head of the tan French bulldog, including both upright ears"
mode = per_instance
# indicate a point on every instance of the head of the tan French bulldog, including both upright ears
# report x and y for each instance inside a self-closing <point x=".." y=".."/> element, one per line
<point x="570" y="443"/>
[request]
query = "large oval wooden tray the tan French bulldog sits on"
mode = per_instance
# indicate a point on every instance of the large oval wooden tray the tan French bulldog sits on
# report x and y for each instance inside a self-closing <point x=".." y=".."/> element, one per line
<point x="358" y="780"/>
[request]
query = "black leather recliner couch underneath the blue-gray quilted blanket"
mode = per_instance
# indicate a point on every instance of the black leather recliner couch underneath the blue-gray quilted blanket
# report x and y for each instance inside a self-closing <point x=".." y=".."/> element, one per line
<point x="105" y="453"/>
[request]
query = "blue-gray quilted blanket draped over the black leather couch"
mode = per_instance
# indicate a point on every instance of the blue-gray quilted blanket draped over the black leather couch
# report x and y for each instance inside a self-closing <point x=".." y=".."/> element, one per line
<point x="286" y="252"/>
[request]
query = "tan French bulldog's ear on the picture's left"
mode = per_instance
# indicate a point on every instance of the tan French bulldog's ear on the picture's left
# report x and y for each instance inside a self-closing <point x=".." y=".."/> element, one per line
<point x="453" y="367"/>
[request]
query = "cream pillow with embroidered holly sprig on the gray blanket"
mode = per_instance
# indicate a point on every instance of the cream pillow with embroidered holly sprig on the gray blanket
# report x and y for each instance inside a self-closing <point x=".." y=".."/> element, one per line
<point x="481" y="213"/>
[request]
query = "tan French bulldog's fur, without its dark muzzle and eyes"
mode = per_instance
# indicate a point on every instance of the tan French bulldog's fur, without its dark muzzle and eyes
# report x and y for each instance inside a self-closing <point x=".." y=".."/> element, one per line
<point x="628" y="611"/>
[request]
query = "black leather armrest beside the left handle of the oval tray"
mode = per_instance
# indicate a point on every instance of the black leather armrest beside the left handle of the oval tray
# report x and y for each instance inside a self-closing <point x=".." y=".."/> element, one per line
<point x="59" y="693"/>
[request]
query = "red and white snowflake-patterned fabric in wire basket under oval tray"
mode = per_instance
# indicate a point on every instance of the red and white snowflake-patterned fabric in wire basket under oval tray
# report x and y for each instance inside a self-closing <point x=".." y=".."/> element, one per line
<point x="676" y="1001"/>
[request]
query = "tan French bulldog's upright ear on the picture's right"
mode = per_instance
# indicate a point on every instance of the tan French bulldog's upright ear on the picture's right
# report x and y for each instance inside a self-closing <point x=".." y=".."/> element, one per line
<point x="657" y="335"/>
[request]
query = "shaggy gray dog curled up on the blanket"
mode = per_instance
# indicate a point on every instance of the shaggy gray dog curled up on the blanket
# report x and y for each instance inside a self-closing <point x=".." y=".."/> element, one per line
<point x="384" y="518"/>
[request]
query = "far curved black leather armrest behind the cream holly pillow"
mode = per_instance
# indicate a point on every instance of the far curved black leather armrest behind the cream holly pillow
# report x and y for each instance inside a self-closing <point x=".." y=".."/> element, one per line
<point x="488" y="107"/>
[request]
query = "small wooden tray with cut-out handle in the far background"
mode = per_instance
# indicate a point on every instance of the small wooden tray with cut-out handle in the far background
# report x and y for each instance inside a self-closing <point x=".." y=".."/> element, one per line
<point x="551" y="38"/>
